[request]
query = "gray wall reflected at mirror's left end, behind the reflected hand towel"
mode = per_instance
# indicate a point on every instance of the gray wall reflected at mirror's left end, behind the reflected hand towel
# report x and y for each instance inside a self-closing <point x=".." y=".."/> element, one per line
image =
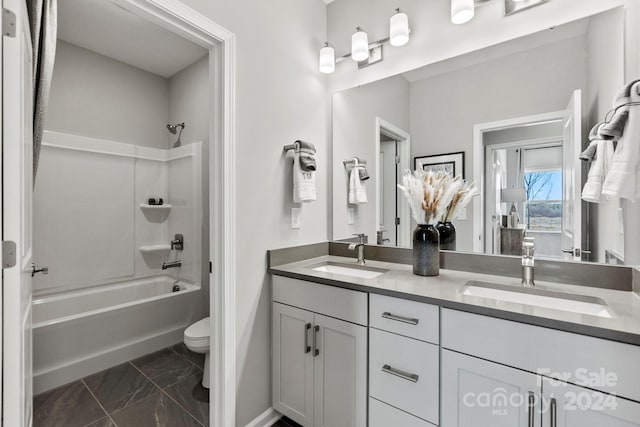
<point x="354" y="135"/>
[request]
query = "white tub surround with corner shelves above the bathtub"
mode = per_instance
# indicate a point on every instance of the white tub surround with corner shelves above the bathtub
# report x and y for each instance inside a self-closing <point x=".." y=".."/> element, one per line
<point x="92" y="224"/>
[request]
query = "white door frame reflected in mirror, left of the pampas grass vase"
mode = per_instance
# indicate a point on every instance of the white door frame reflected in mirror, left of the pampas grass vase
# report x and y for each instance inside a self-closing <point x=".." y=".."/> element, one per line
<point x="404" y="148"/>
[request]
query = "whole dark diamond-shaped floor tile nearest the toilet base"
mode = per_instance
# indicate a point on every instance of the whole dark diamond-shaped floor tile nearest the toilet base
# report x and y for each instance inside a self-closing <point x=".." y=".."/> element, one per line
<point x="165" y="367"/>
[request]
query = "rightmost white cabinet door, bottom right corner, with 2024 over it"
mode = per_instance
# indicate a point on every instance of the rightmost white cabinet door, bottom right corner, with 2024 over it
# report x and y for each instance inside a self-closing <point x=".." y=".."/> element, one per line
<point x="567" y="405"/>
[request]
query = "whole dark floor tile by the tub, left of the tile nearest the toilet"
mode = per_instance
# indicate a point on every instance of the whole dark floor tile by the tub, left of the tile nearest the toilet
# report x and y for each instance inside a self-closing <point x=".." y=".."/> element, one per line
<point x="120" y="386"/>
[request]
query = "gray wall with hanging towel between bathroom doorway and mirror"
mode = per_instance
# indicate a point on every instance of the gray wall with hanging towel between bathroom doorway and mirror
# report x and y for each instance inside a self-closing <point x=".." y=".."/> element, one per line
<point x="281" y="97"/>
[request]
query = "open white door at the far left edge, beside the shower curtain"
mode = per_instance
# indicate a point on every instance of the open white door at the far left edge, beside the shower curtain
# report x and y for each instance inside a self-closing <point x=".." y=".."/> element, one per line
<point x="17" y="185"/>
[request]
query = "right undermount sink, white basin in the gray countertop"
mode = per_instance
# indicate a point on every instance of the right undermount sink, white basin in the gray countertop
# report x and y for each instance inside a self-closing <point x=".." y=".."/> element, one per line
<point x="581" y="304"/>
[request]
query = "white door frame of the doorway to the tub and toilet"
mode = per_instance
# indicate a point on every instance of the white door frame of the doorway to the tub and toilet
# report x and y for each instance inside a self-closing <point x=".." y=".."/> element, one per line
<point x="221" y="44"/>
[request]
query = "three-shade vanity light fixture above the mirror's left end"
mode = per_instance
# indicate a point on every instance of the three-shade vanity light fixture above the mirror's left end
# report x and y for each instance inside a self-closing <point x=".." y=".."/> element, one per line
<point x="363" y="52"/>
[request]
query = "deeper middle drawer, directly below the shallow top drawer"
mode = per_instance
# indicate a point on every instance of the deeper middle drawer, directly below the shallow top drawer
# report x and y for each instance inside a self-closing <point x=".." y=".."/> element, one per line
<point x="404" y="373"/>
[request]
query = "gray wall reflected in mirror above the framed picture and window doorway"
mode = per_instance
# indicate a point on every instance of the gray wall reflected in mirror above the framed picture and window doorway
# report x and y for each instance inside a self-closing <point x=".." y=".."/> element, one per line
<point x="444" y="108"/>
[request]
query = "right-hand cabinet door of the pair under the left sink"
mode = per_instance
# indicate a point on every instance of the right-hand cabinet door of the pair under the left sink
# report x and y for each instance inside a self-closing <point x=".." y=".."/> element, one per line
<point x="340" y="373"/>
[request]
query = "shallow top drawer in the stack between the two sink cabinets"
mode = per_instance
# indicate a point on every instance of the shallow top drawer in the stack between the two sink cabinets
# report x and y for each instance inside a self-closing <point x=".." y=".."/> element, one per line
<point x="409" y="318"/>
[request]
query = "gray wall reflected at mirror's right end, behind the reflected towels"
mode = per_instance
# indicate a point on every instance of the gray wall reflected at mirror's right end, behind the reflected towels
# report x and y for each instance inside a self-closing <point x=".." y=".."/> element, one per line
<point x="605" y="77"/>
